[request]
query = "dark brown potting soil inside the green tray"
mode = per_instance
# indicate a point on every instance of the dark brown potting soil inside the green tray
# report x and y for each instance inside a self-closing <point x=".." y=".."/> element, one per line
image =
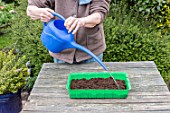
<point x="97" y="83"/>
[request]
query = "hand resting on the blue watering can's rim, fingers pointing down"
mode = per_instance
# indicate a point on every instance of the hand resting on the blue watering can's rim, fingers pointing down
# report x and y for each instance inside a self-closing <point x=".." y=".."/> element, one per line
<point x="73" y="24"/>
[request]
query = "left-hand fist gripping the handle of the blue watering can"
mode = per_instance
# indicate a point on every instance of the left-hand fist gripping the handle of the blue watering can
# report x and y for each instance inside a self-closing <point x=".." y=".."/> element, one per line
<point x="45" y="14"/>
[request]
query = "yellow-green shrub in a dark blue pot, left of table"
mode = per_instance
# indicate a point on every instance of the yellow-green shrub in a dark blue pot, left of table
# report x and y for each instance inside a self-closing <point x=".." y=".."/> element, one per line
<point x="13" y="74"/>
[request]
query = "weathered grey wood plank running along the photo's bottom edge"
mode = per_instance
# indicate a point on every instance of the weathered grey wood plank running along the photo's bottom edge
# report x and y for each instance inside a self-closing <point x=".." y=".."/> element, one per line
<point x="100" y="107"/>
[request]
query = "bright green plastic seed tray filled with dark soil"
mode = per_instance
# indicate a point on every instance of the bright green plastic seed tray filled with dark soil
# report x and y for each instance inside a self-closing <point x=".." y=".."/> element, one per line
<point x="98" y="85"/>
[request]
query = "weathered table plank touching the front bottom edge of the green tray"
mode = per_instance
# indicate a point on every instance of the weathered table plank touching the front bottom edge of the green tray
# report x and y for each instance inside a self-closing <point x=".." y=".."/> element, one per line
<point x="130" y="99"/>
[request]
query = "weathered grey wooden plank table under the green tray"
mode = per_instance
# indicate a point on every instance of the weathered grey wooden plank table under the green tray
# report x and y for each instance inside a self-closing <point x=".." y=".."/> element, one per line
<point x="149" y="93"/>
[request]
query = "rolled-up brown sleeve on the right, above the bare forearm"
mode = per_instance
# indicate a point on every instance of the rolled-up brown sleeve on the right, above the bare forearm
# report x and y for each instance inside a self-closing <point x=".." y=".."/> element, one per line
<point x="100" y="6"/>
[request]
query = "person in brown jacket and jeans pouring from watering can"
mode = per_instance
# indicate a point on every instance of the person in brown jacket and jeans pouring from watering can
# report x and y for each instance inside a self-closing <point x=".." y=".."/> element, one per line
<point x="84" y="18"/>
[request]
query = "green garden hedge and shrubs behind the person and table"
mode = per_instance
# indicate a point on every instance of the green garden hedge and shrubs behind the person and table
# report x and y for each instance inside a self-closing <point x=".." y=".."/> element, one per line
<point x="135" y="30"/>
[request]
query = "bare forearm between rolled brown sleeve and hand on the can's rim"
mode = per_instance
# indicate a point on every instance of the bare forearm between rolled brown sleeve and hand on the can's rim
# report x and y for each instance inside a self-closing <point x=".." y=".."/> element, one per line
<point x="92" y="20"/>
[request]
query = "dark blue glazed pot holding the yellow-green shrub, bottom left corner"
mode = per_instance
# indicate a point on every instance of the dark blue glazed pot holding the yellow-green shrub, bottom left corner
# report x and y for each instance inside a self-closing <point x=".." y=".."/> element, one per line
<point x="11" y="103"/>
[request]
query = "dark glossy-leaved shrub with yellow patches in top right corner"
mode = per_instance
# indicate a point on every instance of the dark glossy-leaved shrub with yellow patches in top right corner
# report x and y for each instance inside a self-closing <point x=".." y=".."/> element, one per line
<point x="158" y="10"/>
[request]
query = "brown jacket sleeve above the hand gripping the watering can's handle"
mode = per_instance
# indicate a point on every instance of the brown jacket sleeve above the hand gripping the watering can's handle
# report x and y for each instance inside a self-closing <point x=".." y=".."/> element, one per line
<point x="42" y="3"/>
